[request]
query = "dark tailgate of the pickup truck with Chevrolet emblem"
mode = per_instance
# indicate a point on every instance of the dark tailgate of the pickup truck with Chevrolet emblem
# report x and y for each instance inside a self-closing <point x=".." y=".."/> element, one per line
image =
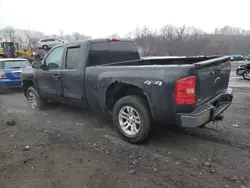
<point x="212" y="77"/>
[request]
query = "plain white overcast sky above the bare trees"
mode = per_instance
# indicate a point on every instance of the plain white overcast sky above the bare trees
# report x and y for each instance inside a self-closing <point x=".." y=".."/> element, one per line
<point x="99" y="18"/>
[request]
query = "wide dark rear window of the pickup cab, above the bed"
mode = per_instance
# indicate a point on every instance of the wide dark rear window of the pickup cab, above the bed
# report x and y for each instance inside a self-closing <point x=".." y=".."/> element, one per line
<point x="109" y="52"/>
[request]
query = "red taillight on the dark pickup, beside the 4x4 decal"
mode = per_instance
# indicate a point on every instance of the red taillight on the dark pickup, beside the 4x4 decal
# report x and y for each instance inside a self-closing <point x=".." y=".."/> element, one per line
<point x="185" y="91"/>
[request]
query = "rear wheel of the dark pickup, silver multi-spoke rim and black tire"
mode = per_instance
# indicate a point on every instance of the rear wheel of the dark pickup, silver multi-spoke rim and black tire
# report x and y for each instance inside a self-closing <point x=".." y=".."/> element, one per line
<point x="141" y="110"/>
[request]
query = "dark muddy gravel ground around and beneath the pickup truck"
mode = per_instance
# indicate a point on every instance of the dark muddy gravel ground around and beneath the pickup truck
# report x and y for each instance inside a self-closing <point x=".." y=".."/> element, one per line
<point x="72" y="148"/>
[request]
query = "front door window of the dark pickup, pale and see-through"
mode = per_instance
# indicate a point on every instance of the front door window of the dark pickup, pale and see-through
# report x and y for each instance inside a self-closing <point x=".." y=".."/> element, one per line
<point x="54" y="59"/>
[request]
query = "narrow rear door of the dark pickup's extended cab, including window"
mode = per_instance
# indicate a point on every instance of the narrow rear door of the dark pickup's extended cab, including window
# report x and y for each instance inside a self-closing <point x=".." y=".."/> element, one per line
<point x="73" y="73"/>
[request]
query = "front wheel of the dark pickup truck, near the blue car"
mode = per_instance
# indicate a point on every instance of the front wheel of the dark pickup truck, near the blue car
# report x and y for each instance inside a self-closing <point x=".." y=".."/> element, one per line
<point x="38" y="102"/>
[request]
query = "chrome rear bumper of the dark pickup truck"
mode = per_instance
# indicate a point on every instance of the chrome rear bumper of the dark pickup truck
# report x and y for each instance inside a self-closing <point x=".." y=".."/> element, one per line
<point x="208" y="112"/>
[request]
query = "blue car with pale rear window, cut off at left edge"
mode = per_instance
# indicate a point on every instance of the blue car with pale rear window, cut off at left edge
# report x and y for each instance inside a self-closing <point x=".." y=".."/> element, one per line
<point x="10" y="69"/>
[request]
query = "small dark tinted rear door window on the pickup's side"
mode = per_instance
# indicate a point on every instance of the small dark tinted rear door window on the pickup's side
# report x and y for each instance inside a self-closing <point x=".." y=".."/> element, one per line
<point x="72" y="59"/>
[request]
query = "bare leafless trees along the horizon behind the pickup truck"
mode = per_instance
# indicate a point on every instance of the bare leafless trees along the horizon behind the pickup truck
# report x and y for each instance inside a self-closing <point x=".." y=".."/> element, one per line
<point x="168" y="40"/>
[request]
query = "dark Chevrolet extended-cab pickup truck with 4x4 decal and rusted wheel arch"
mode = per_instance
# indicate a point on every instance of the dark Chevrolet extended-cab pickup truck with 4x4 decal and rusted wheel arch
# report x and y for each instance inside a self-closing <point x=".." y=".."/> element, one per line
<point x="109" y="75"/>
